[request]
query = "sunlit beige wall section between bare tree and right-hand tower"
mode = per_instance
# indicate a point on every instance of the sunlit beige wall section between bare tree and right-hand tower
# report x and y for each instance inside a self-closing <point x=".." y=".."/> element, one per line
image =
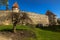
<point x="38" y="18"/>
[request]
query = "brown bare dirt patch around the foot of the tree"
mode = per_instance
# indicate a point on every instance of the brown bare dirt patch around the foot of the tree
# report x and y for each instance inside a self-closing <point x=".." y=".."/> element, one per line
<point x="19" y="35"/>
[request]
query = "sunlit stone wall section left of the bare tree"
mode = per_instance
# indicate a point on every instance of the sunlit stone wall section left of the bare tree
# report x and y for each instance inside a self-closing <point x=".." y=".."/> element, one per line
<point x="5" y="18"/>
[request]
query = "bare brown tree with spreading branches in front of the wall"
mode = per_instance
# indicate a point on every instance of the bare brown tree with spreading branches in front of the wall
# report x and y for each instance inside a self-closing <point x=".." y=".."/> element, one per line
<point x="17" y="17"/>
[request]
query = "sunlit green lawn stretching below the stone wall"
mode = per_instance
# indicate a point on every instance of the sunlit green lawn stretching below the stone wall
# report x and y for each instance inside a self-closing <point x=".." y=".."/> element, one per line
<point x="40" y="33"/>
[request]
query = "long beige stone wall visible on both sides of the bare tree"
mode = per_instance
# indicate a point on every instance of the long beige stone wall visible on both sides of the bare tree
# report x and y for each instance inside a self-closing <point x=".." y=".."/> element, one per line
<point x="5" y="18"/>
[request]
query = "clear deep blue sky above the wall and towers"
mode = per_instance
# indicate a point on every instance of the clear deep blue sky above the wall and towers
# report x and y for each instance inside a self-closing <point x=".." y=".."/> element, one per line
<point x="37" y="6"/>
